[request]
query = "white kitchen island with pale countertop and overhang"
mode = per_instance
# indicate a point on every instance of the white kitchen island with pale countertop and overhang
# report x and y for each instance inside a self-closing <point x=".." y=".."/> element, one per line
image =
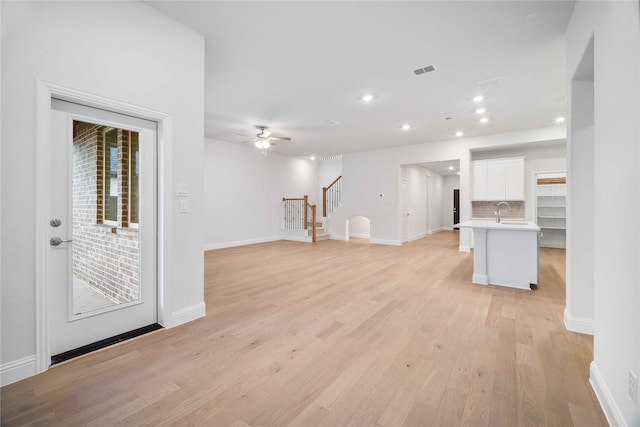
<point x="505" y="253"/>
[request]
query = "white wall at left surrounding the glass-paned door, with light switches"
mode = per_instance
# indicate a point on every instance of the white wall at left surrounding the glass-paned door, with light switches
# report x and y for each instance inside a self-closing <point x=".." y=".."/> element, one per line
<point x="121" y="50"/>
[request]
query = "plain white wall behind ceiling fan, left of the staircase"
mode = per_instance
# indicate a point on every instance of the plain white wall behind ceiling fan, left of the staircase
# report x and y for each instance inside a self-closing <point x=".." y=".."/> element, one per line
<point x="244" y="191"/>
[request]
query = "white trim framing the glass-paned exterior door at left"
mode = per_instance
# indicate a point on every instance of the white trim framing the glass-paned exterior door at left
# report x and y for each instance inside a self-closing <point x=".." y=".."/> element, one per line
<point x="44" y="92"/>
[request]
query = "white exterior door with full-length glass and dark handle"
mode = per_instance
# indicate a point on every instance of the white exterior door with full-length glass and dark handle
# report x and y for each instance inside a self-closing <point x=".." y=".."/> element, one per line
<point x="102" y="256"/>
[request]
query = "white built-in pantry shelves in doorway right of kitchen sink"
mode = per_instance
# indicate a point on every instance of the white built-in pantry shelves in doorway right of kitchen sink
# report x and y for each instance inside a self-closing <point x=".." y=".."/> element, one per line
<point x="551" y="208"/>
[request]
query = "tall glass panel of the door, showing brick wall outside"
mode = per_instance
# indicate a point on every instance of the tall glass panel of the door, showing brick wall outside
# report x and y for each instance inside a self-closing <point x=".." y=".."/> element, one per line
<point x="106" y="237"/>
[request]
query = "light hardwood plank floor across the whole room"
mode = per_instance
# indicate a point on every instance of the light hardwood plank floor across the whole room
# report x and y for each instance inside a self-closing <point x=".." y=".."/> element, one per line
<point x="337" y="333"/>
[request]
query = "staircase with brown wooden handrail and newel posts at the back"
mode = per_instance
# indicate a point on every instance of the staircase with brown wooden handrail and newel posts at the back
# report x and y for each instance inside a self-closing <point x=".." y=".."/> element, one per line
<point x="300" y="222"/>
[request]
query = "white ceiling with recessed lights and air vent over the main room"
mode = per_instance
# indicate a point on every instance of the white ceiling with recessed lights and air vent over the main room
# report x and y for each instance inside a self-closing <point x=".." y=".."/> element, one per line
<point x="294" y="66"/>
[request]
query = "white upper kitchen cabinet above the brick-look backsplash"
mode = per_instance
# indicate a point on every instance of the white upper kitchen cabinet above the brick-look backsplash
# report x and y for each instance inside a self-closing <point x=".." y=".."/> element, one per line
<point x="498" y="179"/>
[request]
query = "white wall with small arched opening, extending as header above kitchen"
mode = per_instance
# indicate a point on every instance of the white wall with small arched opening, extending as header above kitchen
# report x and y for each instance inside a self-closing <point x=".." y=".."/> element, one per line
<point x="368" y="173"/>
